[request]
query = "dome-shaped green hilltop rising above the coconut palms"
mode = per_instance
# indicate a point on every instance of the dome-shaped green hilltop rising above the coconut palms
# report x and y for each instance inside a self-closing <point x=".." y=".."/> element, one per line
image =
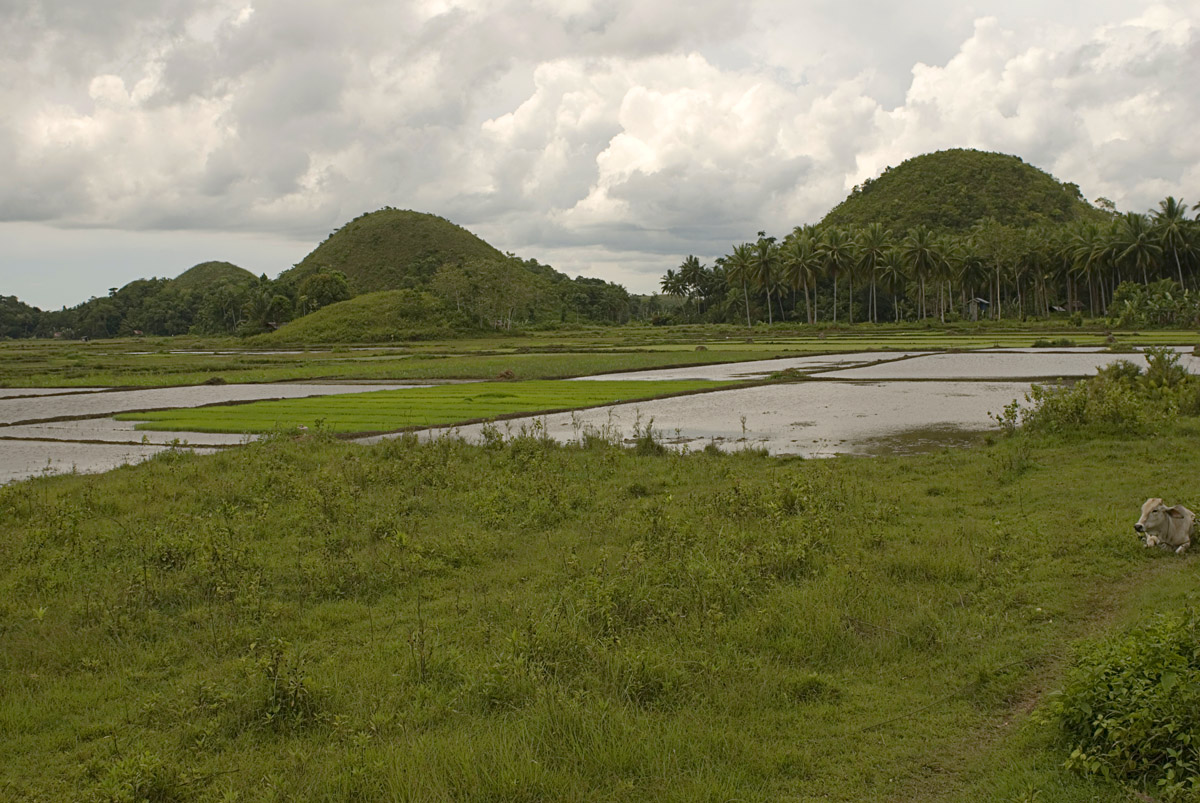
<point x="952" y="190"/>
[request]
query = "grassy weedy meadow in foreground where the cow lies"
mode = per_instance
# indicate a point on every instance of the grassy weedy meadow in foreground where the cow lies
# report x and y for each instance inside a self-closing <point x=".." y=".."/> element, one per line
<point x="309" y="620"/>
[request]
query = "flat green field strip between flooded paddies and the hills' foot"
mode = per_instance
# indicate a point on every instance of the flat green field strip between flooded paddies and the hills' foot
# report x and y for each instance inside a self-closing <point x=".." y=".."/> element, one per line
<point x="537" y="356"/>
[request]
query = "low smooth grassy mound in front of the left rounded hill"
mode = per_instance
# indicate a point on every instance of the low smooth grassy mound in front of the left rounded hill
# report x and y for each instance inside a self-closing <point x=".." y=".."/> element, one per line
<point x="370" y="319"/>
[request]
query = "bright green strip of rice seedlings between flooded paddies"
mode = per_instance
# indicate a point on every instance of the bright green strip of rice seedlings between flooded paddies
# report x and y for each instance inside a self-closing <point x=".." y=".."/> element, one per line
<point x="385" y="411"/>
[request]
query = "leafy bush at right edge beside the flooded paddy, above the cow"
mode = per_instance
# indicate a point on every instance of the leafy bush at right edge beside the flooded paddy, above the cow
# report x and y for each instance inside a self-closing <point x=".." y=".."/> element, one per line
<point x="1121" y="399"/>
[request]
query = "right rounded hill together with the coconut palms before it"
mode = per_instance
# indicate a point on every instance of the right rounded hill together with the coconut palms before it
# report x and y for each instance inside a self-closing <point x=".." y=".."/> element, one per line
<point x="958" y="235"/>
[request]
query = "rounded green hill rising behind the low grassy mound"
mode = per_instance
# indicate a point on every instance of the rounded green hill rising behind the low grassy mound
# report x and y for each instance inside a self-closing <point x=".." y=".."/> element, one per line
<point x="392" y="249"/>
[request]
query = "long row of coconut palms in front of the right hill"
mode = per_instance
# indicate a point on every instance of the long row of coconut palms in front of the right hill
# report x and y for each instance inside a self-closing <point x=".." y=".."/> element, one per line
<point x="845" y="274"/>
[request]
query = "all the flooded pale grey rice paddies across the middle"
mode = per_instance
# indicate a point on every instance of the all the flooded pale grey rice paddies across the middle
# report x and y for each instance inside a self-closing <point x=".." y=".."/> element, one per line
<point x="869" y="403"/>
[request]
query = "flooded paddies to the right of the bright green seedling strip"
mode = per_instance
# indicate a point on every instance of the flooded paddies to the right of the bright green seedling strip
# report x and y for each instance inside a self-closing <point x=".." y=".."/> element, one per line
<point x="868" y="404"/>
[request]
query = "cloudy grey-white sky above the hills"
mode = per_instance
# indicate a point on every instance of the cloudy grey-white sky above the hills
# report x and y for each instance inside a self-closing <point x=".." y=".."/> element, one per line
<point x="608" y="139"/>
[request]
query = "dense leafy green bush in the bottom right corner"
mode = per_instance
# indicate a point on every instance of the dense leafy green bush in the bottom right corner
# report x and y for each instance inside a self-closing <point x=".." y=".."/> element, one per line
<point x="1131" y="709"/>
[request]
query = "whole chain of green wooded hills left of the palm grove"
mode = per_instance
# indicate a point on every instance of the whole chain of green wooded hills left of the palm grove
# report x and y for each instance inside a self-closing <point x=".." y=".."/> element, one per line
<point x="388" y="250"/>
